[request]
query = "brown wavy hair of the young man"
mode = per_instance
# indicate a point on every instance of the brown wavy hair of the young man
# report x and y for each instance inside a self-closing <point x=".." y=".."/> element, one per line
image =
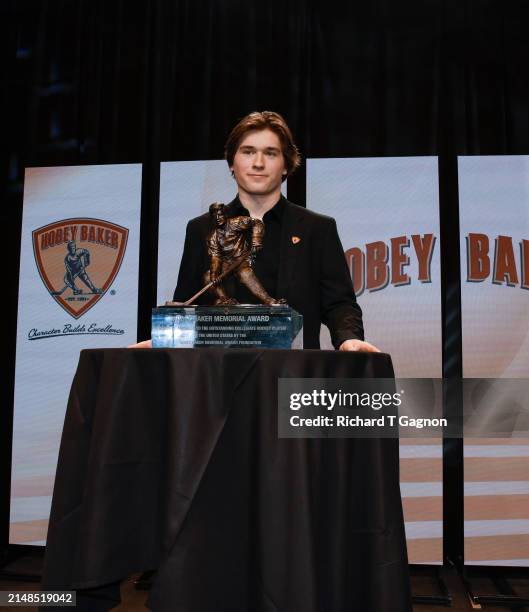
<point x="262" y="121"/>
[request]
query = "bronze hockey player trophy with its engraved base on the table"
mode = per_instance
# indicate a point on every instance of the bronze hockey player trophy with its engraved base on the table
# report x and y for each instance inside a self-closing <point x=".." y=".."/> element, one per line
<point x="232" y="244"/>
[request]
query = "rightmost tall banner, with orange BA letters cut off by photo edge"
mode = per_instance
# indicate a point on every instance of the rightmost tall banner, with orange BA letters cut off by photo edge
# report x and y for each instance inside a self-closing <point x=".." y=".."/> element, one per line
<point x="494" y="225"/>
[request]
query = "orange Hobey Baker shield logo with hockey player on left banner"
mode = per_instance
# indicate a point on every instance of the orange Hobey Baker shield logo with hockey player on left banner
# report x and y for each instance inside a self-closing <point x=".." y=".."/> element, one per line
<point x="78" y="260"/>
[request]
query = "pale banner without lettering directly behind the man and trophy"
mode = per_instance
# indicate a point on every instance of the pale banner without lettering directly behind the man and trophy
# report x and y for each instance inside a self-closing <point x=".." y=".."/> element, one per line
<point x="187" y="189"/>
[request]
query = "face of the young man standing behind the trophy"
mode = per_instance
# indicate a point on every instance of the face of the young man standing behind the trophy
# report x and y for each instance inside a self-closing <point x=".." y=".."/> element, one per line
<point x="259" y="164"/>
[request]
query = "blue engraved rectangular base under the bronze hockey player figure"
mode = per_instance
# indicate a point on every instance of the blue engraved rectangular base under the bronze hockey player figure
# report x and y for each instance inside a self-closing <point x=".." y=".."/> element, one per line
<point x="243" y="326"/>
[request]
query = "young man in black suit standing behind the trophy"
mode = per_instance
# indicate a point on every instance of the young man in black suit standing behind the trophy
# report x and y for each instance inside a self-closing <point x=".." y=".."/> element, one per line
<point x="302" y="259"/>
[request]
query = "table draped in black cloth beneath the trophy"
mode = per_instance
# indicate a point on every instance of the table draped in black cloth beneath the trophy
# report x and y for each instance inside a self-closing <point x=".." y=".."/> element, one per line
<point x="170" y="460"/>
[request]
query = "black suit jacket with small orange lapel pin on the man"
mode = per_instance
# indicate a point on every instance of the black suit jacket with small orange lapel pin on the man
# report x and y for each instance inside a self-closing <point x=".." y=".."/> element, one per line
<point x="313" y="275"/>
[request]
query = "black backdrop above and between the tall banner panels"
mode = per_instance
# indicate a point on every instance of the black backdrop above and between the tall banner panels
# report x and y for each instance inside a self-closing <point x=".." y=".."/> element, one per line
<point x="115" y="81"/>
